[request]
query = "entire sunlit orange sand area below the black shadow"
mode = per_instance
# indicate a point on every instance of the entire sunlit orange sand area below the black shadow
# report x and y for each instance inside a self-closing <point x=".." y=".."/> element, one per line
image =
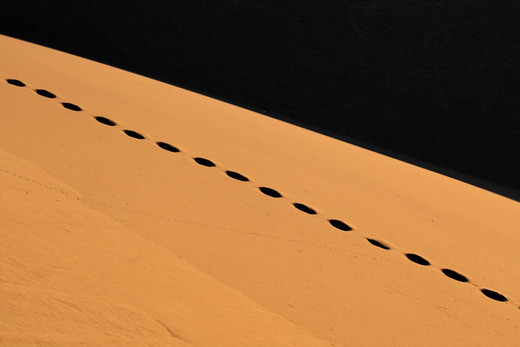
<point x="304" y="235"/>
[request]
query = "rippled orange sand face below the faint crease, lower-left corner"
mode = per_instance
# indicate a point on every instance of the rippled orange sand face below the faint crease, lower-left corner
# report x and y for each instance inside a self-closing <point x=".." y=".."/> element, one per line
<point x="72" y="275"/>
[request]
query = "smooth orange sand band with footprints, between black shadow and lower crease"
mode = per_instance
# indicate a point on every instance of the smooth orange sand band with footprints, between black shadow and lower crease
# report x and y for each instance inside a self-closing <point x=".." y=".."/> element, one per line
<point x="295" y="263"/>
